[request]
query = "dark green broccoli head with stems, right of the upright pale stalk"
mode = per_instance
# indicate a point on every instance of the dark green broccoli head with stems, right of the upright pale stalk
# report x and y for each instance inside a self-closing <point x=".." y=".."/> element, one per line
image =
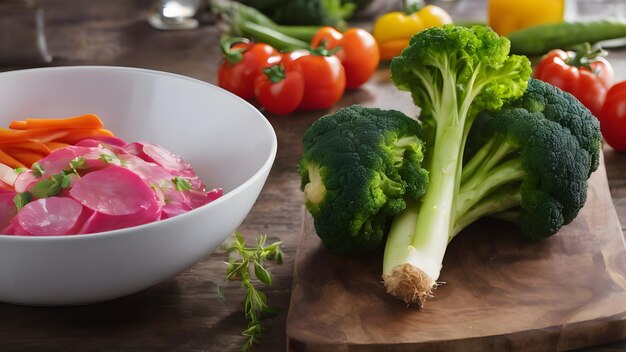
<point x="534" y="166"/>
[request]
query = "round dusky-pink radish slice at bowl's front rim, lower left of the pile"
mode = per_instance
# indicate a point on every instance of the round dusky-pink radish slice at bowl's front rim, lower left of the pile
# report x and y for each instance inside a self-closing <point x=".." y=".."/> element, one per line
<point x="49" y="216"/>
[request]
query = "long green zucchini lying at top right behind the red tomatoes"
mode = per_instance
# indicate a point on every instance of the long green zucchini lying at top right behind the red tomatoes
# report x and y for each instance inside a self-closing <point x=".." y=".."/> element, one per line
<point x="540" y="39"/>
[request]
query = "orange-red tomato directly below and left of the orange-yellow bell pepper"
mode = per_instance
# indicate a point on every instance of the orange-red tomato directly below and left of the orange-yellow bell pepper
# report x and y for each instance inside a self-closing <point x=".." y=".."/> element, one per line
<point x="357" y="50"/>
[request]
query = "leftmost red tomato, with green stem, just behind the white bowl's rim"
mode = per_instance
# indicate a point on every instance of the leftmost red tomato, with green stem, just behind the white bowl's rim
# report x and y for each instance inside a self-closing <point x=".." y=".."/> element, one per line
<point x="238" y="77"/>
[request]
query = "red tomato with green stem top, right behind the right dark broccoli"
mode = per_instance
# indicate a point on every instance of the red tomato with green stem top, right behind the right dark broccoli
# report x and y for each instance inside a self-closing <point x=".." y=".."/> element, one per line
<point x="564" y="70"/>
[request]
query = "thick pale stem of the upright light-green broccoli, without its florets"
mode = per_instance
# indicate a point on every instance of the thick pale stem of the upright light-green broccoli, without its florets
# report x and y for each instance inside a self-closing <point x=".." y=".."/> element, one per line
<point x="416" y="245"/>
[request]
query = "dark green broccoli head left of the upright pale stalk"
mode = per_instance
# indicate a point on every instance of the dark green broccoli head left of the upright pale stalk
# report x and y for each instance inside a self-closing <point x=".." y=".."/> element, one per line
<point x="358" y="167"/>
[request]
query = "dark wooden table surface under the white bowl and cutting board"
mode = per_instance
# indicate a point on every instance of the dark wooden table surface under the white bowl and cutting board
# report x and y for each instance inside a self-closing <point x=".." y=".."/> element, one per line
<point x="184" y="313"/>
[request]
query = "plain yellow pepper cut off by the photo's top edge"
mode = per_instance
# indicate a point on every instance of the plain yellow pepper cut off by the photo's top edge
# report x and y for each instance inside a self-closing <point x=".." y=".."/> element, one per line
<point x="506" y="16"/>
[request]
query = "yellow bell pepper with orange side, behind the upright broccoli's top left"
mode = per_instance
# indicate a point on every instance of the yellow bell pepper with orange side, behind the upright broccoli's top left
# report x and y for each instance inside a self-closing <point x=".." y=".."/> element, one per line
<point x="393" y="30"/>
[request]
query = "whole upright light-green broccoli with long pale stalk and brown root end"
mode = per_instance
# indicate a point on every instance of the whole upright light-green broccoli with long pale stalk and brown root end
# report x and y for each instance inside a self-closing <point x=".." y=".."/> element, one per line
<point x="452" y="74"/>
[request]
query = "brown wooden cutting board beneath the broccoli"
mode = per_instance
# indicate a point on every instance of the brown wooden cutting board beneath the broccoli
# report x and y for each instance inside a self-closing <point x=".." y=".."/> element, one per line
<point x="501" y="293"/>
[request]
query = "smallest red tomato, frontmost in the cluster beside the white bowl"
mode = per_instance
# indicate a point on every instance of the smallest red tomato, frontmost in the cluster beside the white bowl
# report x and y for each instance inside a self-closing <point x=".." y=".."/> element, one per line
<point x="279" y="90"/>
